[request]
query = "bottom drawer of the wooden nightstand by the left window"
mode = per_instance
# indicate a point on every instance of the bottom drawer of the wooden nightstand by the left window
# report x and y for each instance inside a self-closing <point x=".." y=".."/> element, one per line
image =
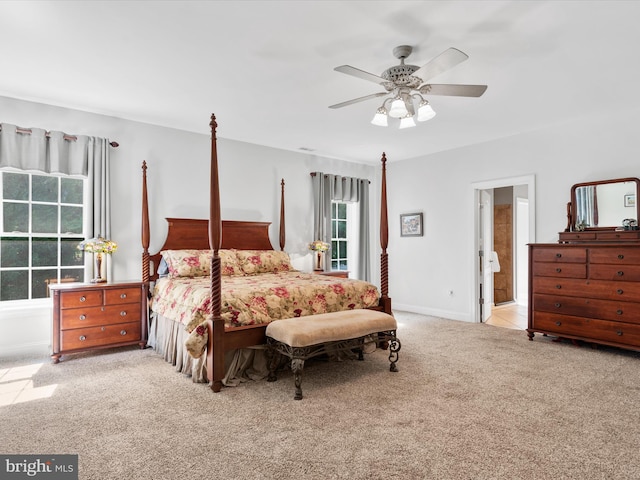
<point x="100" y="336"/>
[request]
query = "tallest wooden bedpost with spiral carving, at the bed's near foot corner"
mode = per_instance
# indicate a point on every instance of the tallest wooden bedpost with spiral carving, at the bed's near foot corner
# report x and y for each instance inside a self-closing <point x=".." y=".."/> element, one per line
<point x="215" y="326"/>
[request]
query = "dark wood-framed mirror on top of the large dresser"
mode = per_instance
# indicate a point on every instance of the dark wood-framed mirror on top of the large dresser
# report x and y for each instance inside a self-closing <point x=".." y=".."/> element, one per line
<point x="605" y="205"/>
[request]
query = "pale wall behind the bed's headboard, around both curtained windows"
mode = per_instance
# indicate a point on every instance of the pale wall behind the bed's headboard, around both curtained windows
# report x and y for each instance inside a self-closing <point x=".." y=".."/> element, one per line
<point x="178" y="185"/>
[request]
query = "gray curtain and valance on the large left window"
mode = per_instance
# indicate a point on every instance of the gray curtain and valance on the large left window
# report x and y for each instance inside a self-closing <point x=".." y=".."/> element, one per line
<point x="56" y="153"/>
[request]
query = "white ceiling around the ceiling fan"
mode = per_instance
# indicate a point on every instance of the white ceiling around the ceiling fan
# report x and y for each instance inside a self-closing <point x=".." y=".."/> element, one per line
<point x="265" y="68"/>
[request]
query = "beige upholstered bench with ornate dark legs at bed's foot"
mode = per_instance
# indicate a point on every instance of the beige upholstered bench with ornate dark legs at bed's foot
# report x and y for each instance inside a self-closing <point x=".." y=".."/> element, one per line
<point x="302" y="338"/>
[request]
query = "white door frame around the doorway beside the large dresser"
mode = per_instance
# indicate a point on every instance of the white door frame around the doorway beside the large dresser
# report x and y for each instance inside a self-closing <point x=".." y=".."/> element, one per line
<point x="530" y="182"/>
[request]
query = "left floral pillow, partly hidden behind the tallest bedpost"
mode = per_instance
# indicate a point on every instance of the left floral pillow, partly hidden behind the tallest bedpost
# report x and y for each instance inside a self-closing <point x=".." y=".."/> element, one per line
<point x="197" y="263"/>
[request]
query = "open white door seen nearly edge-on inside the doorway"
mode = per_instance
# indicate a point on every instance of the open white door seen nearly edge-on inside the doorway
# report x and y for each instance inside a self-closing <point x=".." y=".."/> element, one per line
<point x="484" y="253"/>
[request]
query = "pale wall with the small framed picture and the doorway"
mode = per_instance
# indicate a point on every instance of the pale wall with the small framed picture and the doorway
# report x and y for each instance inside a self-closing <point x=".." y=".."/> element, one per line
<point x="424" y="269"/>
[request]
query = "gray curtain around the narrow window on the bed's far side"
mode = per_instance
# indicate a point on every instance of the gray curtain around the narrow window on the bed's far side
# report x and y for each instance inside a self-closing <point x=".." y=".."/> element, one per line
<point x="328" y="188"/>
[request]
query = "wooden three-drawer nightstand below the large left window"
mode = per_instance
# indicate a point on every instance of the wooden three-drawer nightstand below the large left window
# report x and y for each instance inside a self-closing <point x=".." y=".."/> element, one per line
<point x="91" y="316"/>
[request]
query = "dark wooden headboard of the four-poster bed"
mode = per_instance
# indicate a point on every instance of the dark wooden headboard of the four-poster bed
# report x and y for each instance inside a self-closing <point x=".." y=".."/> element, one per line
<point x="190" y="233"/>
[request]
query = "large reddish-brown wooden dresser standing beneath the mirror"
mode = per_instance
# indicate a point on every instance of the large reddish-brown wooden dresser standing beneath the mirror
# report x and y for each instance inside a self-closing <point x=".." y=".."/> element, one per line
<point x="587" y="288"/>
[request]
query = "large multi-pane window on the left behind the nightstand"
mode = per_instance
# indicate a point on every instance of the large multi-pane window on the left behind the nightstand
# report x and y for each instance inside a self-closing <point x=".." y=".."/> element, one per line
<point x="41" y="224"/>
